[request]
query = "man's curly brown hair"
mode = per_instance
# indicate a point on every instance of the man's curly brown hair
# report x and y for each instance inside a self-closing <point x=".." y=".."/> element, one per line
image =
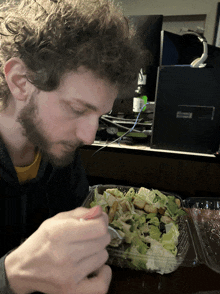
<point x="56" y="36"/>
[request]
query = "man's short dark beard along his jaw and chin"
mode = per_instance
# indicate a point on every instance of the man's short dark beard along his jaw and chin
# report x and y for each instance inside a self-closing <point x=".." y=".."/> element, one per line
<point x="34" y="132"/>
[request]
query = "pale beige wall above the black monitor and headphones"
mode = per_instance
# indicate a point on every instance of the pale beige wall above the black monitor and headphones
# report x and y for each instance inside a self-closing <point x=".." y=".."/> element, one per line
<point x="175" y="7"/>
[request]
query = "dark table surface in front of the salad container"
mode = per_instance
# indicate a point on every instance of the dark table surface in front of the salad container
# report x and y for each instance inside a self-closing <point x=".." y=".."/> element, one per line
<point x="185" y="280"/>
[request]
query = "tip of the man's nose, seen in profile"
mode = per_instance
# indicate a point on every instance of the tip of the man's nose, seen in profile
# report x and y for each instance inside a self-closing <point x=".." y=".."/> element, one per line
<point x="86" y="130"/>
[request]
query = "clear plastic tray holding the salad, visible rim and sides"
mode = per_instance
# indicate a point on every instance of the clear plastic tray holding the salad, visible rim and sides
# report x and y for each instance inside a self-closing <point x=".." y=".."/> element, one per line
<point x="117" y="255"/>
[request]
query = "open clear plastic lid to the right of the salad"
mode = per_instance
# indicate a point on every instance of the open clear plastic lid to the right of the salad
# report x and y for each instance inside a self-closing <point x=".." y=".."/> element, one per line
<point x="204" y="226"/>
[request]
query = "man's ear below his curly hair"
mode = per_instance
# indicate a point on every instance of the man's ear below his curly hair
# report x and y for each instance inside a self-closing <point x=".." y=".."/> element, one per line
<point x="15" y="75"/>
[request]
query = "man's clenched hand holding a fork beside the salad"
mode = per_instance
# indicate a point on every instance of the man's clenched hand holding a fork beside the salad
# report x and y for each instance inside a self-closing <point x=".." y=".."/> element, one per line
<point x="62" y="254"/>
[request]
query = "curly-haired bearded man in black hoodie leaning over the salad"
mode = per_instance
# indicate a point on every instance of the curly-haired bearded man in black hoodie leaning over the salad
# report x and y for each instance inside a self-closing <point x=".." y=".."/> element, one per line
<point x="63" y="63"/>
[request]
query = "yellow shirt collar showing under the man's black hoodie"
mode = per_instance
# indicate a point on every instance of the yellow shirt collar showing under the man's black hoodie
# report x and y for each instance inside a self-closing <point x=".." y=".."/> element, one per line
<point x="26" y="173"/>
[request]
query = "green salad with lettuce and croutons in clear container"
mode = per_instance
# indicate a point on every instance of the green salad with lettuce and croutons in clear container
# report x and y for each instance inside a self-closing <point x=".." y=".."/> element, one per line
<point x="148" y="222"/>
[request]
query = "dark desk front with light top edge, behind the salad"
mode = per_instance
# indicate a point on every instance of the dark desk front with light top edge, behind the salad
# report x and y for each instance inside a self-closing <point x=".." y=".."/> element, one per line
<point x="184" y="173"/>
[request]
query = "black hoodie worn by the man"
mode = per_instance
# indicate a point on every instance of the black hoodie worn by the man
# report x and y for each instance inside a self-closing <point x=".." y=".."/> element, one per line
<point x="23" y="207"/>
